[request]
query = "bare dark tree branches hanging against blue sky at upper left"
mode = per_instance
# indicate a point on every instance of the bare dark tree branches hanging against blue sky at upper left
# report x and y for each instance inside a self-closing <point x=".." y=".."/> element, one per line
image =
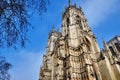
<point x="14" y="15"/>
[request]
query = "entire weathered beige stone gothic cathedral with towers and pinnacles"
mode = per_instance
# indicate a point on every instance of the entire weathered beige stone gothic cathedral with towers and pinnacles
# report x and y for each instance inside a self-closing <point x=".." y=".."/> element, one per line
<point x="74" y="54"/>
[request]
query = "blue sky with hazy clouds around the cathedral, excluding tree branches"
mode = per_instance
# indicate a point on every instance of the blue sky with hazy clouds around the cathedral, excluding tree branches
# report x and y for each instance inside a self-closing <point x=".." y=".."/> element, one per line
<point x="103" y="17"/>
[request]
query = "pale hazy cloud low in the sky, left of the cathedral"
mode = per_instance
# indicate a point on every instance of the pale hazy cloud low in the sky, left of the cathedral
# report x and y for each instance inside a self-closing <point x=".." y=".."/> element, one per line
<point x="26" y="66"/>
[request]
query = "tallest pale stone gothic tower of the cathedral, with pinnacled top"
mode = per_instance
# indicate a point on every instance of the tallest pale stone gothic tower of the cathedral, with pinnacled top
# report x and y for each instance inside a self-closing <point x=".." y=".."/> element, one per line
<point x="82" y="49"/>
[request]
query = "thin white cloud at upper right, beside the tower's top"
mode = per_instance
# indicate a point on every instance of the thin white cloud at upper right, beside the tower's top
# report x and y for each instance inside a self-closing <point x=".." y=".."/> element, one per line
<point x="97" y="11"/>
